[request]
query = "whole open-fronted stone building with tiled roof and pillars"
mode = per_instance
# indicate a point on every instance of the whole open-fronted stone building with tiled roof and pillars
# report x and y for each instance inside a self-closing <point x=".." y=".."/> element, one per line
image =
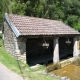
<point x="35" y="40"/>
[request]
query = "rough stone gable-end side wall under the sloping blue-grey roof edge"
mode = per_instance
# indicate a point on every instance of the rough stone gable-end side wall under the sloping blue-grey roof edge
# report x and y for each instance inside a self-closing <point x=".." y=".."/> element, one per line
<point x="8" y="39"/>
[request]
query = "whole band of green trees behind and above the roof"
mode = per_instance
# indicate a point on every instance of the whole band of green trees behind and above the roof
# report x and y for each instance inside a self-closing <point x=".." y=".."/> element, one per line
<point x="67" y="11"/>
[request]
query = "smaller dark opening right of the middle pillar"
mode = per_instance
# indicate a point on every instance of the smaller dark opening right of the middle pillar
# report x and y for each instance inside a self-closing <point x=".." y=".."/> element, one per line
<point x="65" y="47"/>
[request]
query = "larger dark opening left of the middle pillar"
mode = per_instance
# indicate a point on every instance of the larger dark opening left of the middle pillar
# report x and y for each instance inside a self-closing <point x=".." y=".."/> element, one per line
<point x="37" y="52"/>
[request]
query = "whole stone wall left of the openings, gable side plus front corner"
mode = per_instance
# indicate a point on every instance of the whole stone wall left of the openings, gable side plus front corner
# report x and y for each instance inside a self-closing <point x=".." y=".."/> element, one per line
<point x="13" y="45"/>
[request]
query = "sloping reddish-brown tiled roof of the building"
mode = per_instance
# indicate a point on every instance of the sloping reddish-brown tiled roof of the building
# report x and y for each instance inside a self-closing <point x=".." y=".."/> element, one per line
<point x="38" y="26"/>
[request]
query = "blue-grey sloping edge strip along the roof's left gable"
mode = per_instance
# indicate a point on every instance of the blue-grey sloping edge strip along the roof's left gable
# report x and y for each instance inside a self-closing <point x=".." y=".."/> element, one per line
<point x="15" y="30"/>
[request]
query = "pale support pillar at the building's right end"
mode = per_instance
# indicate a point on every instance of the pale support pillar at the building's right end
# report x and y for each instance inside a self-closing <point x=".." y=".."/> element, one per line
<point x="75" y="48"/>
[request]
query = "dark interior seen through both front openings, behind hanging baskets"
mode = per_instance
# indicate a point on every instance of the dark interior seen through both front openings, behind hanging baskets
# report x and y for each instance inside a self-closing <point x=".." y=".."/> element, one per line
<point x="38" y="54"/>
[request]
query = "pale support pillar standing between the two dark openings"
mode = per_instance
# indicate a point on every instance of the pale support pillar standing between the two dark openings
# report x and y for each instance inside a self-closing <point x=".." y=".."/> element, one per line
<point x="56" y="50"/>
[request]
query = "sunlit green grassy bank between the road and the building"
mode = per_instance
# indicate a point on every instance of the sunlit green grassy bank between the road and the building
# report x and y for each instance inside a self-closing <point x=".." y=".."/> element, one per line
<point x="23" y="69"/>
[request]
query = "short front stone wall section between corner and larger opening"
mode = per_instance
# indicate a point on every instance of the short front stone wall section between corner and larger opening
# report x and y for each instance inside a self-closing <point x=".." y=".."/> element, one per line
<point x="20" y="49"/>
